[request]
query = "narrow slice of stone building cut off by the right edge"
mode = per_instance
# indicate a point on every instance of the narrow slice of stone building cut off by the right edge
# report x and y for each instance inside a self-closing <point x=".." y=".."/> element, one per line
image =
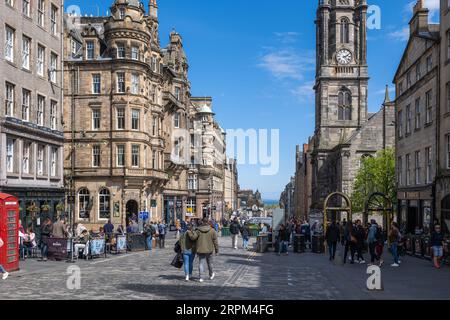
<point x="443" y="180"/>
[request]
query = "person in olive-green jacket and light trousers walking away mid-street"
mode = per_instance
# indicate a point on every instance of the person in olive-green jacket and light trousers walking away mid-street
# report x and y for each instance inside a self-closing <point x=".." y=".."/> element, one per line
<point x="207" y="244"/>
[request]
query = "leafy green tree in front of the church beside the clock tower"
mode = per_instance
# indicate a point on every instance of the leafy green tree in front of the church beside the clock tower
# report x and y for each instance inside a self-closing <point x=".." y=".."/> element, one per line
<point x="377" y="174"/>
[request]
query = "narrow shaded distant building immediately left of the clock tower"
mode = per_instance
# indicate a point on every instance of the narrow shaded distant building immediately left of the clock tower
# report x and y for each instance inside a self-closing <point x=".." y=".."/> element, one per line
<point x="302" y="186"/>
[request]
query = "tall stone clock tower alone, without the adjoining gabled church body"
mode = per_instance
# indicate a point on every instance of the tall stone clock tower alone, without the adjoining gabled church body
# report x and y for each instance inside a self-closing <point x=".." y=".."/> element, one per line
<point x="341" y="84"/>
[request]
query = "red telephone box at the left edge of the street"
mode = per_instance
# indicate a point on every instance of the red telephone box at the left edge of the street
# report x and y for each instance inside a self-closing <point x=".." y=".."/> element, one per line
<point x="9" y="232"/>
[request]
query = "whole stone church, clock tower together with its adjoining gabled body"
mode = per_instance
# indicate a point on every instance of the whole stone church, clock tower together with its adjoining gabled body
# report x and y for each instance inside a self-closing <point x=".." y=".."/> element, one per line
<point x="345" y="131"/>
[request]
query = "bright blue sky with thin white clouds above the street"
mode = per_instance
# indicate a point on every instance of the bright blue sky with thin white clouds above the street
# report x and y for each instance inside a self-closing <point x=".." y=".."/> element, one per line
<point x="256" y="59"/>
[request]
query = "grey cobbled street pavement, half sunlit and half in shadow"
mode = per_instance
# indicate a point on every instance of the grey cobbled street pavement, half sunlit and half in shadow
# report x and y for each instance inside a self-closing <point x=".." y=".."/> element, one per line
<point x="239" y="275"/>
